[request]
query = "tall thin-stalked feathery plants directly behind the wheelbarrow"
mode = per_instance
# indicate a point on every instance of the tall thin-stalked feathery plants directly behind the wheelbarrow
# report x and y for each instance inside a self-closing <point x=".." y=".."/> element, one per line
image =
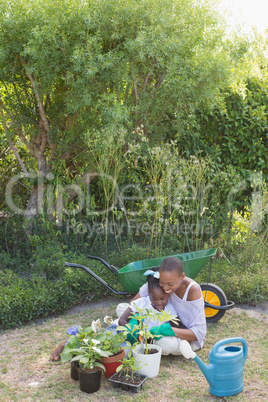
<point x="164" y="196"/>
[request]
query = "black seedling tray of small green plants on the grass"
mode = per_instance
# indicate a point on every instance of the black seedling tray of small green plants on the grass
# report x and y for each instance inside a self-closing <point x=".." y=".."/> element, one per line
<point x="127" y="376"/>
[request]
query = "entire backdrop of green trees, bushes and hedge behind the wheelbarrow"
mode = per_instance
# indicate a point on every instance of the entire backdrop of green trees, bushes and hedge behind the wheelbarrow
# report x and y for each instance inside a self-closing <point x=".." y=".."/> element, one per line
<point x="119" y="81"/>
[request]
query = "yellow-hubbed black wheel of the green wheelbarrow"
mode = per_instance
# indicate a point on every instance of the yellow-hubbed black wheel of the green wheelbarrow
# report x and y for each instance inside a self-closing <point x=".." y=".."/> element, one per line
<point x="215" y="296"/>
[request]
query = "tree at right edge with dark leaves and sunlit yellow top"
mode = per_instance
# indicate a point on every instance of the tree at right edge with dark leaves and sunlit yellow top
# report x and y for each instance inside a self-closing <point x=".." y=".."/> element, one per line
<point x="235" y="132"/>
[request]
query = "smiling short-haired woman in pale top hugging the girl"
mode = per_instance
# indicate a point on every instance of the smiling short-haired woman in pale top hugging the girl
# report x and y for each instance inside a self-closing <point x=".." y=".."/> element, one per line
<point x="186" y="297"/>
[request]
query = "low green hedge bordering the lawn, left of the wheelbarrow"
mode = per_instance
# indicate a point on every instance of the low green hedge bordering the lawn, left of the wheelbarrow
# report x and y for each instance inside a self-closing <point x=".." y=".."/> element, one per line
<point x="23" y="300"/>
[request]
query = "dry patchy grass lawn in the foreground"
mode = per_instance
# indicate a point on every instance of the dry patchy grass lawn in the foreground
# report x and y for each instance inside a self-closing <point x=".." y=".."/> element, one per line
<point x="27" y="374"/>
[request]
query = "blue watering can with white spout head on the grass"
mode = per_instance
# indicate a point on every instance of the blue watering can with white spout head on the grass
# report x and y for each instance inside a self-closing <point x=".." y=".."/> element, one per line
<point x="226" y="362"/>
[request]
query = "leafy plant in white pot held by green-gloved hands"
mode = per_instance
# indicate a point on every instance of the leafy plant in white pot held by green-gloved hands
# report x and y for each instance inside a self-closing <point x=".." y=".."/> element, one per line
<point x="148" y="355"/>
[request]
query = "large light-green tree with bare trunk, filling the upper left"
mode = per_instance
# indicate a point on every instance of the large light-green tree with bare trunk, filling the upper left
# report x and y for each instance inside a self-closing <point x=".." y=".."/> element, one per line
<point x="71" y="67"/>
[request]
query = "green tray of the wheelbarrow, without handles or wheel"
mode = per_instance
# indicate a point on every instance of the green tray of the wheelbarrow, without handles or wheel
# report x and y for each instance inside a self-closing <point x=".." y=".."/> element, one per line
<point x="131" y="276"/>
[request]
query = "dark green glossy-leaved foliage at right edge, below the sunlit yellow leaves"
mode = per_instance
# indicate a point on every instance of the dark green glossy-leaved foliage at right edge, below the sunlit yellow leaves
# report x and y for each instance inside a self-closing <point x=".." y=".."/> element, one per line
<point x="236" y="133"/>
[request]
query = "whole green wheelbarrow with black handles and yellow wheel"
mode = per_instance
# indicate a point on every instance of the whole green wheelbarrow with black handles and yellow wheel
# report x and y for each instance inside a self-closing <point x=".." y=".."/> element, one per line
<point x="131" y="277"/>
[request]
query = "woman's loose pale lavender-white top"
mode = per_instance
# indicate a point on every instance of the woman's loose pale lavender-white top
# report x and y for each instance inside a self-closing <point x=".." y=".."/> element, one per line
<point x="191" y="313"/>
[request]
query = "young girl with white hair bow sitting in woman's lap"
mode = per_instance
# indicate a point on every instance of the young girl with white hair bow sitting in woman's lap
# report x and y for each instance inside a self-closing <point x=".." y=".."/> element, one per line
<point x="156" y="300"/>
